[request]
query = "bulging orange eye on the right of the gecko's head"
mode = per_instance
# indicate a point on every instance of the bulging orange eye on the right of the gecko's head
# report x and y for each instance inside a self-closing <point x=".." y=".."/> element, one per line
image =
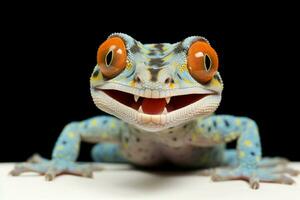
<point x="202" y="61"/>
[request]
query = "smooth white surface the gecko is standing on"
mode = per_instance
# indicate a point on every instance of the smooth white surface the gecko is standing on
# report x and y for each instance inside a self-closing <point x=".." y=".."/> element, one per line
<point x="121" y="182"/>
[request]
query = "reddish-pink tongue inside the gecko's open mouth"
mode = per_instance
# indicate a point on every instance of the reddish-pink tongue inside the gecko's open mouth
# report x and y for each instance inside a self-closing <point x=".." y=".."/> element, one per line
<point x="153" y="106"/>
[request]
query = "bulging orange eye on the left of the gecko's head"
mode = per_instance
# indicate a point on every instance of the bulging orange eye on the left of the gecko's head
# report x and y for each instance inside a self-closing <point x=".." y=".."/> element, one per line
<point x="111" y="57"/>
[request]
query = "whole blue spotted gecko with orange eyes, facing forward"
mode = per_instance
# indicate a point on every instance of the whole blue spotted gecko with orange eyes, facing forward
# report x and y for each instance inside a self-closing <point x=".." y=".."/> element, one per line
<point x="161" y="99"/>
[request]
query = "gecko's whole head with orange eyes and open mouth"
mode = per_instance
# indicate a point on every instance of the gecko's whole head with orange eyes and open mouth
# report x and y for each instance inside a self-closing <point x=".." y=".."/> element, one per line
<point x="156" y="86"/>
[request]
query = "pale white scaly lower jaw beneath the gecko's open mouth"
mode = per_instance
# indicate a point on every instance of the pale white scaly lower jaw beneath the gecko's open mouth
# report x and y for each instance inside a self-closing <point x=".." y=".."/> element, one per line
<point x="204" y="106"/>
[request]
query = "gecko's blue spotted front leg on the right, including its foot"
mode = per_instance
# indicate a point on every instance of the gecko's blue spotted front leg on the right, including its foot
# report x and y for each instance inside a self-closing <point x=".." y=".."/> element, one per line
<point x="222" y="129"/>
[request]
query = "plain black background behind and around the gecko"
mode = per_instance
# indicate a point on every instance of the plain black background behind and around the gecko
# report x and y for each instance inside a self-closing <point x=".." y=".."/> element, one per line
<point x="51" y="53"/>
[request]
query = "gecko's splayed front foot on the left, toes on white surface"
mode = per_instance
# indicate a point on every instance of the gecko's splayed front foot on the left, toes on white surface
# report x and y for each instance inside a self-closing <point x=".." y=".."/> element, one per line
<point x="53" y="168"/>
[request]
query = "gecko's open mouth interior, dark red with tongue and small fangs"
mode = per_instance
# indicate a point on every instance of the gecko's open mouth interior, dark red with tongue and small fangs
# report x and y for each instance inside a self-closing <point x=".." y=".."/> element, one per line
<point x="154" y="106"/>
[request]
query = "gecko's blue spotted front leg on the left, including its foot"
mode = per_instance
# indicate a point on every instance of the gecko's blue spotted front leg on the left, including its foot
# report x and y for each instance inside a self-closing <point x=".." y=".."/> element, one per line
<point x="67" y="147"/>
